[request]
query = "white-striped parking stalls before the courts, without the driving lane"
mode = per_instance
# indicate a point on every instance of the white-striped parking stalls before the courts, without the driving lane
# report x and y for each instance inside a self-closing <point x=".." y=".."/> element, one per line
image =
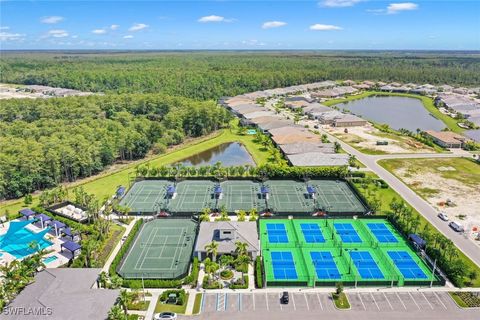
<point x="310" y="301"/>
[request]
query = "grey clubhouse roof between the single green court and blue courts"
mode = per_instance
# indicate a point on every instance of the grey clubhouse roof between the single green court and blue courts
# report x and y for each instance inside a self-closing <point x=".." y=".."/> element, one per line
<point x="244" y="232"/>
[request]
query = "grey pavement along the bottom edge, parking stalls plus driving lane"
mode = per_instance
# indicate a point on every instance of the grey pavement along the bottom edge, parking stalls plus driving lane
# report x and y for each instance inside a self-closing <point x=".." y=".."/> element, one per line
<point x="311" y="305"/>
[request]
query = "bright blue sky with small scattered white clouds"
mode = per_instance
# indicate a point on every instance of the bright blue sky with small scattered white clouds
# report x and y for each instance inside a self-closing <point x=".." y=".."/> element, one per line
<point x="248" y="24"/>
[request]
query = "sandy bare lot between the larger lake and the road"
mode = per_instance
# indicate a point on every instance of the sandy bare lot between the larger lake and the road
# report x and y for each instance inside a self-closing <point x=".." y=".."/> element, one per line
<point x="365" y="139"/>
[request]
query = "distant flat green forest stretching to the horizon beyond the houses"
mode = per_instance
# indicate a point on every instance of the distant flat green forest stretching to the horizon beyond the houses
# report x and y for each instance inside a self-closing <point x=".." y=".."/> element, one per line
<point x="210" y="75"/>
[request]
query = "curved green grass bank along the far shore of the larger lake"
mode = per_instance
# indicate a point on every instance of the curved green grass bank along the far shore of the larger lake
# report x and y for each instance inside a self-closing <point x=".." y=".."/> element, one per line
<point x="427" y="103"/>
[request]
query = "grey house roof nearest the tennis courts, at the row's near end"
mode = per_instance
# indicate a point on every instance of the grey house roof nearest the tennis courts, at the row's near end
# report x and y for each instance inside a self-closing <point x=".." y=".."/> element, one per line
<point x="313" y="159"/>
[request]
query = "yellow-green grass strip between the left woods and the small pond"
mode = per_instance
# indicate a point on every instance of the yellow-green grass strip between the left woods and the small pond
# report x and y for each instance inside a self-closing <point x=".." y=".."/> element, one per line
<point x="104" y="184"/>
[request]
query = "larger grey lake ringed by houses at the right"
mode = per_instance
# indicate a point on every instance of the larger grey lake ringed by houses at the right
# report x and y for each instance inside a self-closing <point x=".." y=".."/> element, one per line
<point x="397" y="112"/>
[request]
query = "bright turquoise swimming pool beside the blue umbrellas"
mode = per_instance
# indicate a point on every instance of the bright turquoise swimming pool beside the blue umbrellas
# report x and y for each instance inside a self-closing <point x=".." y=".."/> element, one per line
<point x="18" y="240"/>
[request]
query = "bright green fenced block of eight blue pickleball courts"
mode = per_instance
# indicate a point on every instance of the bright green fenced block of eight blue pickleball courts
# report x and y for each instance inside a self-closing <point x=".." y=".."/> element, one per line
<point x="308" y="252"/>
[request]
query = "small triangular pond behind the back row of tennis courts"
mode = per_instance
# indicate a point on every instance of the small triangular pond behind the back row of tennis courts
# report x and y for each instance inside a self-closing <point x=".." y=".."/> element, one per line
<point x="229" y="154"/>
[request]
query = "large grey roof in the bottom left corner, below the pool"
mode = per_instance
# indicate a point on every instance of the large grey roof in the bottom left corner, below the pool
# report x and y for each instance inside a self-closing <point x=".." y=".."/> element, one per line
<point x="67" y="293"/>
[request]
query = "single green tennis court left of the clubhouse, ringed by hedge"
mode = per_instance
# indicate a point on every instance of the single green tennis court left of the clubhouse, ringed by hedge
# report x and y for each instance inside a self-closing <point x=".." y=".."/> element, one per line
<point x="162" y="249"/>
